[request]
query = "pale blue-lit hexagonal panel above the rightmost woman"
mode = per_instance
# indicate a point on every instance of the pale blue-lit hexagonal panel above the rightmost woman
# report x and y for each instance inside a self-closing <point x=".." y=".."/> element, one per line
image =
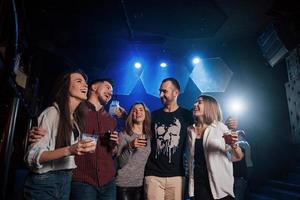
<point x="211" y="75"/>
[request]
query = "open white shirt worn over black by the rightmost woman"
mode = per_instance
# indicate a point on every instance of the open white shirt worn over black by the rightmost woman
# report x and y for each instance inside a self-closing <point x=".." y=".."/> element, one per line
<point x="218" y="160"/>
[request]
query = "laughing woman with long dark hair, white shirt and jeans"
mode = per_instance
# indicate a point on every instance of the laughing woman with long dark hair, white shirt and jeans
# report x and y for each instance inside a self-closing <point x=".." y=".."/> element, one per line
<point x="51" y="159"/>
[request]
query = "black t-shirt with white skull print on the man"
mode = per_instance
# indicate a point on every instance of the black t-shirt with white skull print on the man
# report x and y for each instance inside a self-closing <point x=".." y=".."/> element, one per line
<point x="168" y="143"/>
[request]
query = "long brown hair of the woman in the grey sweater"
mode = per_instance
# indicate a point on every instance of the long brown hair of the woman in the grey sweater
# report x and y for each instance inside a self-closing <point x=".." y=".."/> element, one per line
<point x="146" y="123"/>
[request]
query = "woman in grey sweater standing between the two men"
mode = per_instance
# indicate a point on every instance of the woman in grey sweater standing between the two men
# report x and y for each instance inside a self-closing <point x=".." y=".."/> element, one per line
<point x="133" y="152"/>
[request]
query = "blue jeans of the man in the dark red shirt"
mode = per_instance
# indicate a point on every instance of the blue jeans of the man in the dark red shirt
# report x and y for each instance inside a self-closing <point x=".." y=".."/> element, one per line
<point x="86" y="191"/>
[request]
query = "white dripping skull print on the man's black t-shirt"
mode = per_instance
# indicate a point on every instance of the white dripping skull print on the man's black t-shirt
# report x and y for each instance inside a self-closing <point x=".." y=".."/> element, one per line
<point x="167" y="138"/>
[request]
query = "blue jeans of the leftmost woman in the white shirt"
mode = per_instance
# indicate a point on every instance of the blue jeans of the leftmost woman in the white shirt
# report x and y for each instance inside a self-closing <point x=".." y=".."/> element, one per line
<point x="48" y="186"/>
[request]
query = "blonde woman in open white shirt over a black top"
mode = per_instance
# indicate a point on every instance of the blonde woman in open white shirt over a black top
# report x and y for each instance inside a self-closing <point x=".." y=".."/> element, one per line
<point x="210" y="154"/>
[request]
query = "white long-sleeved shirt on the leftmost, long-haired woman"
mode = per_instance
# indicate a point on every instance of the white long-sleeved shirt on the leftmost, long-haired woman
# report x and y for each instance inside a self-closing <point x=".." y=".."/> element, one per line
<point x="48" y="120"/>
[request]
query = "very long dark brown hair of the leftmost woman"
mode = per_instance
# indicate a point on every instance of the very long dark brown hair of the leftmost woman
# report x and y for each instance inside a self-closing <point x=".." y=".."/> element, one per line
<point x="61" y="98"/>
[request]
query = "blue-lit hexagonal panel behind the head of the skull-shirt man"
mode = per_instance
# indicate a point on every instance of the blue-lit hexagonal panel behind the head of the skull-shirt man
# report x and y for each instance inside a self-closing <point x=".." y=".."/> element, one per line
<point x="151" y="77"/>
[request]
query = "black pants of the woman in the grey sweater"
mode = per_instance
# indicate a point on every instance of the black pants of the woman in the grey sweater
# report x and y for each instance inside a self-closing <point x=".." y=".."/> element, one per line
<point x="130" y="193"/>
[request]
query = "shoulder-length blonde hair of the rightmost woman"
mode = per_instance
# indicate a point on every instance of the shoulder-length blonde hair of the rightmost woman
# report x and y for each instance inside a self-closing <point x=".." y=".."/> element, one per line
<point x="212" y="110"/>
